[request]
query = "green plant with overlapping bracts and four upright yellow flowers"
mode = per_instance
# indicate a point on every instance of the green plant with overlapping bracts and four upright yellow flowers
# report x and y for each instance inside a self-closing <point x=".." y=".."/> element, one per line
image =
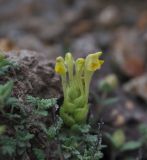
<point x="76" y="77"/>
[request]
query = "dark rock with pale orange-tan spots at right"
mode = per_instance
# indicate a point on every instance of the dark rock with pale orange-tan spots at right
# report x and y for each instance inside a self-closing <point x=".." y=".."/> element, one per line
<point x="125" y="111"/>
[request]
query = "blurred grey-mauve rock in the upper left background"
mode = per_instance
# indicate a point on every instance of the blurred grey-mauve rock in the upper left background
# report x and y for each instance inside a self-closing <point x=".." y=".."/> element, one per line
<point x="44" y="28"/>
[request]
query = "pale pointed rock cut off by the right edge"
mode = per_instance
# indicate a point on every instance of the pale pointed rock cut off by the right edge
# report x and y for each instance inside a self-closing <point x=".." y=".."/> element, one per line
<point x="137" y="87"/>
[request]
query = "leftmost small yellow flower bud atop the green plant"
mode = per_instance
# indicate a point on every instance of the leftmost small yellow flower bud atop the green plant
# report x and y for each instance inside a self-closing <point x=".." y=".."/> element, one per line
<point x="60" y="66"/>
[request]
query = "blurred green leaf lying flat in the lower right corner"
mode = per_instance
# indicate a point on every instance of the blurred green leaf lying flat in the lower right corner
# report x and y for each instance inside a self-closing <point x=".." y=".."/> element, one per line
<point x="132" y="145"/>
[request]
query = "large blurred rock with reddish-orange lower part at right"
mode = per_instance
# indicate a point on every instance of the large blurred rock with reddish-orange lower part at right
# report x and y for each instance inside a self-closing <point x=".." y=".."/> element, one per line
<point x="129" y="51"/>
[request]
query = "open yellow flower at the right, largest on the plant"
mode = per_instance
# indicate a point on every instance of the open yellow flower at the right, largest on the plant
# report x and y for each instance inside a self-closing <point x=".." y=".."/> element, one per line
<point x="92" y="62"/>
